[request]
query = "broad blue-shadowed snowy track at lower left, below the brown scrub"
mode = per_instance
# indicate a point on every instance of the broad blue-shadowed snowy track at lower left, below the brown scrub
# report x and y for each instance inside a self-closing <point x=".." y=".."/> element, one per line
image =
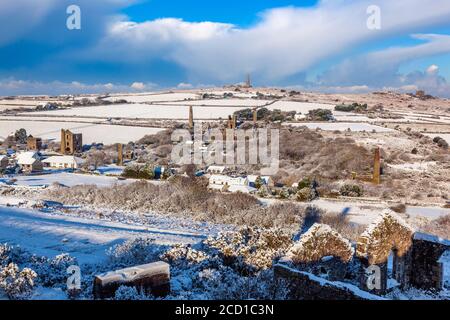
<point x="86" y="239"/>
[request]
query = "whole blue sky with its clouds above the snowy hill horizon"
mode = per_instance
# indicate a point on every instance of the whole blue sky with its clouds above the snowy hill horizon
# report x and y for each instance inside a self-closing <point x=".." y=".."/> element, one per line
<point x="137" y="45"/>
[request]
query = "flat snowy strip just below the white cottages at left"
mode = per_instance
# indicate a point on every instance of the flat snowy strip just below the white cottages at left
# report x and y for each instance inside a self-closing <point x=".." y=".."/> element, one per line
<point x="65" y="178"/>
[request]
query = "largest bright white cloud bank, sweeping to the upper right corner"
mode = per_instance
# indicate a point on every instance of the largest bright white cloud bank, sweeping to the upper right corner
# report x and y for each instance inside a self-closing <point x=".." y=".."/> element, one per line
<point x="285" y="42"/>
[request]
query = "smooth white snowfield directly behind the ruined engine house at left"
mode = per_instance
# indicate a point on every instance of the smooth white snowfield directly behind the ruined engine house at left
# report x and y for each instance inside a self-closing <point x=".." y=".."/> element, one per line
<point x="107" y="134"/>
